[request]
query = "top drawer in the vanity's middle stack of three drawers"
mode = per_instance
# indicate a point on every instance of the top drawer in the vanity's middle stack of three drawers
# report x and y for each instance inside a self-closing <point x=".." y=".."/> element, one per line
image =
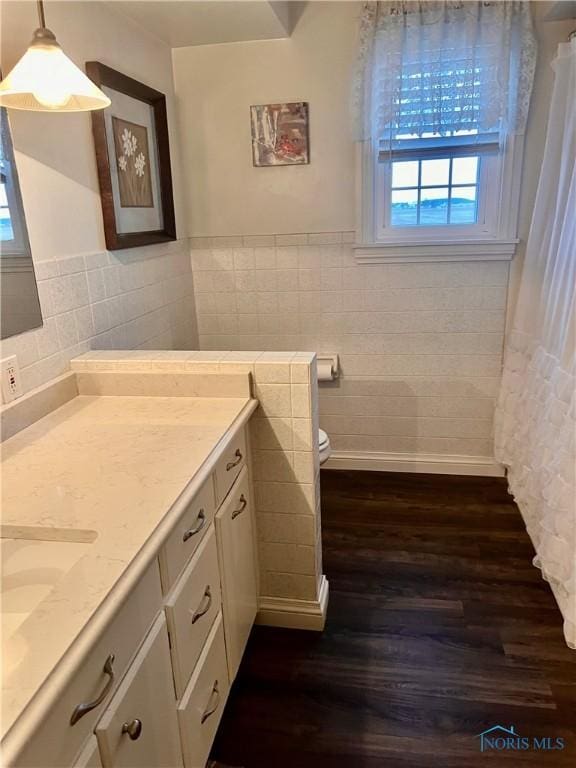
<point x="187" y="535"/>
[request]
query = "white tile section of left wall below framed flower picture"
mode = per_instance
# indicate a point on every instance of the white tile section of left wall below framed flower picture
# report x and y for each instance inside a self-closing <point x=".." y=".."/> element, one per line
<point x="141" y="298"/>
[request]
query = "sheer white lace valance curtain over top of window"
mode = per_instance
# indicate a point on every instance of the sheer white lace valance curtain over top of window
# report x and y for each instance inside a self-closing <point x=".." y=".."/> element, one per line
<point x="442" y="65"/>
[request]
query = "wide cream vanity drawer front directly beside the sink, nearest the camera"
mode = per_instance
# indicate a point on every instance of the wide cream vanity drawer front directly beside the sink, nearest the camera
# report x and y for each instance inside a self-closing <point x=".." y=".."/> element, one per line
<point x="56" y="742"/>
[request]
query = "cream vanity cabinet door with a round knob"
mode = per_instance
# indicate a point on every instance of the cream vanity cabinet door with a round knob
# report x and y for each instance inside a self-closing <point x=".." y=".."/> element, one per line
<point x="140" y="727"/>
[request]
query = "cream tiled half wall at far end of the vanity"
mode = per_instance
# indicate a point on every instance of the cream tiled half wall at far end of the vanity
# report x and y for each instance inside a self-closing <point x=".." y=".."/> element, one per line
<point x="284" y="443"/>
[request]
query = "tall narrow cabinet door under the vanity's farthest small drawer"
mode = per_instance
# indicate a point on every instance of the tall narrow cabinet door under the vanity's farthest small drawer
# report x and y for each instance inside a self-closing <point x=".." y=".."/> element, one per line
<point x="235" y="533"/>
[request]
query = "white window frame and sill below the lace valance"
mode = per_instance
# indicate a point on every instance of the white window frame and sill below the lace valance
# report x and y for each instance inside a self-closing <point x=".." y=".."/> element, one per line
<point x="494" y="237"/>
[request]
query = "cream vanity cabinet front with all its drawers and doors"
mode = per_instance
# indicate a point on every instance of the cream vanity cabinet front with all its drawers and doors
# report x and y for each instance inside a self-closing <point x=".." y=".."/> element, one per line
<point x="151" y="690"/>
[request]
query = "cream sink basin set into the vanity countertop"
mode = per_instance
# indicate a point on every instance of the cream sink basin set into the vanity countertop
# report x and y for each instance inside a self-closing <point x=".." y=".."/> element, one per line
<point x="34" y="560"/>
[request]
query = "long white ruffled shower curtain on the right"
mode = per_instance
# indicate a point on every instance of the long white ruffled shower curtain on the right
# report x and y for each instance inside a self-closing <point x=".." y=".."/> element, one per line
<point x="535" y="419"/>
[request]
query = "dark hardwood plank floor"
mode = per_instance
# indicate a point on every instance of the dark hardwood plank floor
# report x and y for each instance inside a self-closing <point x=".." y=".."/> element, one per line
<point x="438" y="628"/>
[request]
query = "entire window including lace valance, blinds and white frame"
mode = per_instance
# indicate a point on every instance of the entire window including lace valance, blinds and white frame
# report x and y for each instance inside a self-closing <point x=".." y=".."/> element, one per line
<point x="441" y="113"/>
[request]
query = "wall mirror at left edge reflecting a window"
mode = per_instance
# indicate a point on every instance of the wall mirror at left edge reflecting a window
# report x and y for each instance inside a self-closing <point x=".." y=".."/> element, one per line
<point x="19" y="303"/>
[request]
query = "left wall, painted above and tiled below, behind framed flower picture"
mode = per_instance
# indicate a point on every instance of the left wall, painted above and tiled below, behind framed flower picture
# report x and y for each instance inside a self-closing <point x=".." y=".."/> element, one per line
<point x="90" y="297"/>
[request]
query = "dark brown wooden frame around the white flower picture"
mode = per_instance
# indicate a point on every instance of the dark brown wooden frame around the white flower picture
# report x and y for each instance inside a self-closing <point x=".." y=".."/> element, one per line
<point x="116" y="235"/>
